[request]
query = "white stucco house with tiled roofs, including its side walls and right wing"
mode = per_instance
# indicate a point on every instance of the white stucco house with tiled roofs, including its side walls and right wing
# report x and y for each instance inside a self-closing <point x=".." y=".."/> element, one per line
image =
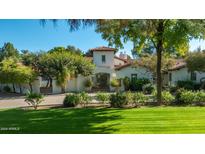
<point x="108" y="66"/>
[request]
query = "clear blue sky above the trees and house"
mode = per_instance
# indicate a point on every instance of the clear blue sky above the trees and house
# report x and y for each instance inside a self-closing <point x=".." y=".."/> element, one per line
<point x="31" y="35"/>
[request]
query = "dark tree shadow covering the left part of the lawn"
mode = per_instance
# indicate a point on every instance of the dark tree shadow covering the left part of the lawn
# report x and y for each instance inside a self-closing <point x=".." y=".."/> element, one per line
<point x="60" y="121"/>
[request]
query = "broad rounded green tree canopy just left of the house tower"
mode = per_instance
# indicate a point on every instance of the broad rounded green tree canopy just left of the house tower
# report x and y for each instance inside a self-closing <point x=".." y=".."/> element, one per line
<point x="63" y="65"/>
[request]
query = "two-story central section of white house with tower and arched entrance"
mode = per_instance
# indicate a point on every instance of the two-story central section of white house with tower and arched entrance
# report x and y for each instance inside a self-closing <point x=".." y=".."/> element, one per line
<point x="109" y="66"/>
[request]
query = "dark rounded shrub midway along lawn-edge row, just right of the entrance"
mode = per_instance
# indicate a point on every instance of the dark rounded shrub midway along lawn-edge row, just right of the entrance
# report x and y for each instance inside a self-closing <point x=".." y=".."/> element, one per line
<point x="117" y="100"/>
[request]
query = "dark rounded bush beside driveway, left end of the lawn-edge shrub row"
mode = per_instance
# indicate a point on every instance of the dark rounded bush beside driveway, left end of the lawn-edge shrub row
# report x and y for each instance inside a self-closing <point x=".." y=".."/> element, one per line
<point x="71" y="100"/>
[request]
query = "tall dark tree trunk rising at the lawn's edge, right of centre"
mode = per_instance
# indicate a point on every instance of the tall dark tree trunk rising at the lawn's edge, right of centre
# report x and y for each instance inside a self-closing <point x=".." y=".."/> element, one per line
<point x="159" y="50"/>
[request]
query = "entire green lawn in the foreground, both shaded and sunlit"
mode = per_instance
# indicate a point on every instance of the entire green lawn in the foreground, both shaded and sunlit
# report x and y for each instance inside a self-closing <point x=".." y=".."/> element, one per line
<point x="155" y="120"/>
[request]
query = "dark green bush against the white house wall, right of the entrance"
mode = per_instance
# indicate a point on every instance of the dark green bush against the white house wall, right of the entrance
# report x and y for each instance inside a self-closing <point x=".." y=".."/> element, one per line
<point x="137" y="84"/>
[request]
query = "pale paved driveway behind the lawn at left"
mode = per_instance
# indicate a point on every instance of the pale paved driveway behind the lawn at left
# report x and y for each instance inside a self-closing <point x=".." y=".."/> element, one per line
<point x="15" y="100"/>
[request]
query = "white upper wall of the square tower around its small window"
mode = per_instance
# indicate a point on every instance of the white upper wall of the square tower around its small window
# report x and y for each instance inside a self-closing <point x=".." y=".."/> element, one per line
<point x="97" y="58"/>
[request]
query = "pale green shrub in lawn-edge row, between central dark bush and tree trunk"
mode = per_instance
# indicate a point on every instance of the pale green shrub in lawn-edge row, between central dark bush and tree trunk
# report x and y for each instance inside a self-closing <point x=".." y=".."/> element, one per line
<point x="139" y="99"/>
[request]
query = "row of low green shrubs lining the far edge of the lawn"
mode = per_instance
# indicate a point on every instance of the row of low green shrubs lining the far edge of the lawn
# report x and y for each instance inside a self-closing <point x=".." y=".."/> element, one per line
<point x="122" y="99"/>
